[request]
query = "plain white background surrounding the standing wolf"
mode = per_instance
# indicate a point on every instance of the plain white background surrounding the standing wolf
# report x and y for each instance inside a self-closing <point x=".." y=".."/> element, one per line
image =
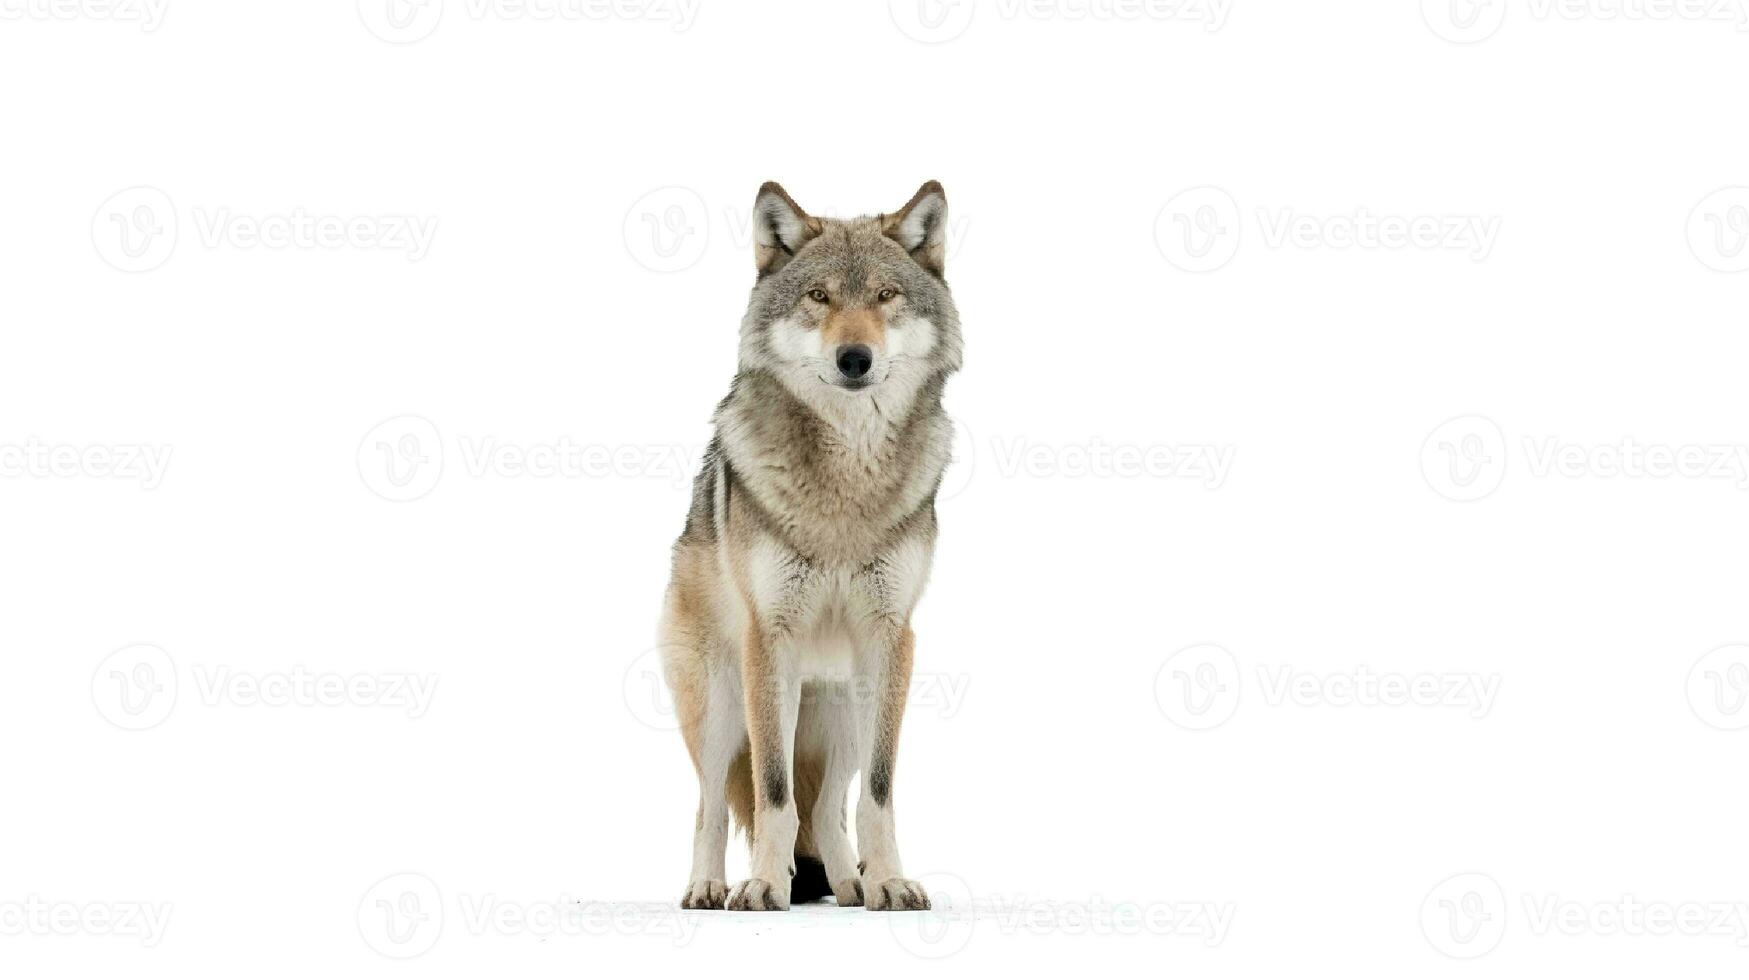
<point x="589" y="179"/>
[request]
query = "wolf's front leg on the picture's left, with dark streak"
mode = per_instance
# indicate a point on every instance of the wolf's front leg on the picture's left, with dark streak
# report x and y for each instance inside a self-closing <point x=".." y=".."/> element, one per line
<point x="774" y="699"/>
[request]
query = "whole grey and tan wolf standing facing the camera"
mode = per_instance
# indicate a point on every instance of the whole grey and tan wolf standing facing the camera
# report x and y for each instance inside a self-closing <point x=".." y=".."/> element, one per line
<point x="786" y="629"/>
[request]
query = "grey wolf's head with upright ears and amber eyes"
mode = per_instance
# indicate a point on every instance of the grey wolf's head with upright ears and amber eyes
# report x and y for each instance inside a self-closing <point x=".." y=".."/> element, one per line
<point x="851" y="312"/>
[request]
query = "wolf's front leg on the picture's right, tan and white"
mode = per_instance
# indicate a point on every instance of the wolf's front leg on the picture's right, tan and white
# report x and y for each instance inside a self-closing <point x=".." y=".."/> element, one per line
<point x="888" y="669"/>
